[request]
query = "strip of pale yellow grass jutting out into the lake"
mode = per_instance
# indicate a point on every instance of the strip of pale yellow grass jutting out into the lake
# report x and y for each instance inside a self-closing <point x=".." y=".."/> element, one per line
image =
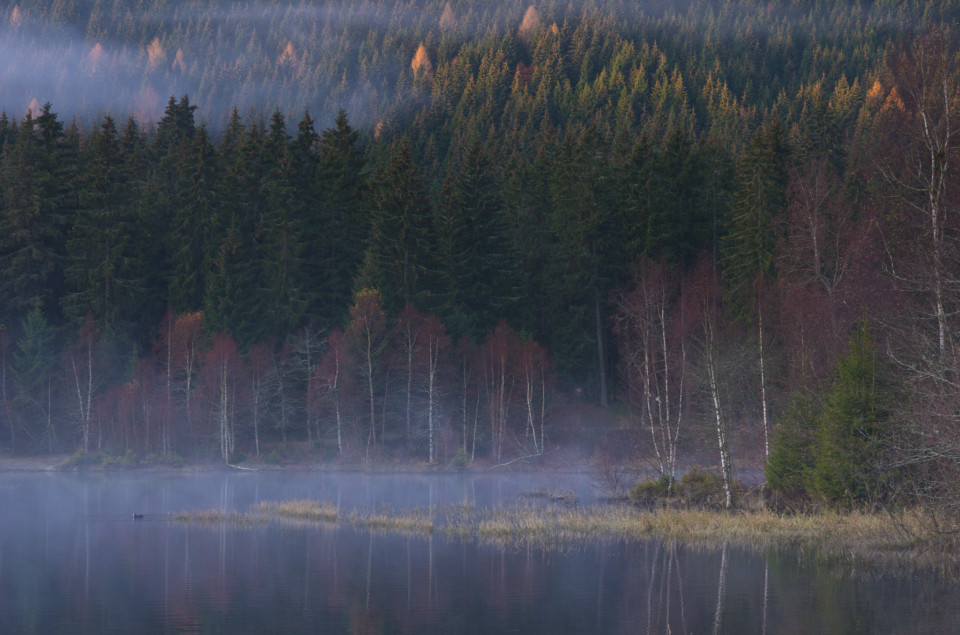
<point x="854" y="535"/>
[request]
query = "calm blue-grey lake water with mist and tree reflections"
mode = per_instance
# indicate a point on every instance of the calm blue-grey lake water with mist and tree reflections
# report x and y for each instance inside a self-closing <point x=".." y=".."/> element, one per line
<point x="72" y="560"/>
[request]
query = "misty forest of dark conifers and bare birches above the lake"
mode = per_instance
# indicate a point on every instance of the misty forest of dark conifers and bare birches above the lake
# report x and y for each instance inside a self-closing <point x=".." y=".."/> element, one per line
<point x="427" y="231"/>
